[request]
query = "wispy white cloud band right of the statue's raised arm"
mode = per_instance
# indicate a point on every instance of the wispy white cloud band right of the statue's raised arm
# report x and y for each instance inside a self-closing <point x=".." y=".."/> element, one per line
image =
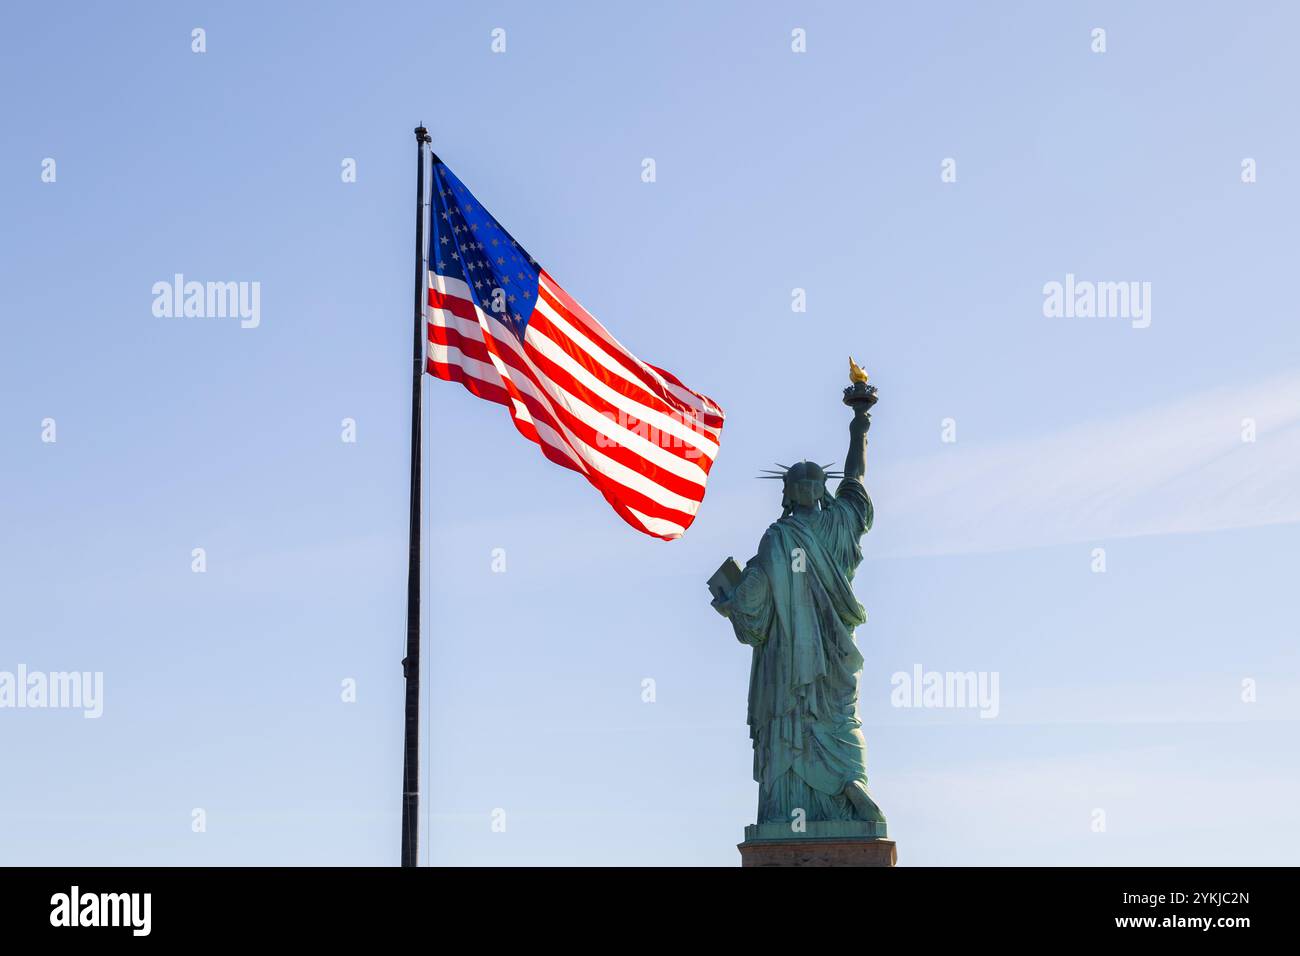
<point x="1178" y="468"/>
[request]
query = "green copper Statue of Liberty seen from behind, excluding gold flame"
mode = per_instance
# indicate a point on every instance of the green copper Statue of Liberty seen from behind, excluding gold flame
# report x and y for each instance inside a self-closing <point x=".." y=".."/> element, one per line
<point x="794" y="604"/>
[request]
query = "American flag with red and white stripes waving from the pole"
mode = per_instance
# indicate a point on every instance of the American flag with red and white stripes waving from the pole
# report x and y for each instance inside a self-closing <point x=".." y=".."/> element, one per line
<point x="502" y="327"/>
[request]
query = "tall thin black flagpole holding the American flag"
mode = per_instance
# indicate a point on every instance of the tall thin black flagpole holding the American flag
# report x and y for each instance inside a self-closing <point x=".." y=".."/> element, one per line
<point x="411" y="663"/>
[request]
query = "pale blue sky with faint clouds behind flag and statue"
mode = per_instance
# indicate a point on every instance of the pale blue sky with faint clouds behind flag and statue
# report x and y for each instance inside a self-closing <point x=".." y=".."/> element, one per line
<point x="1120" y="691"/>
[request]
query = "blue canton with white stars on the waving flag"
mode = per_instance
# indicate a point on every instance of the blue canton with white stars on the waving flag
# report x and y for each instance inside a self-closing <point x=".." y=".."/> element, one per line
<point x="467" y="244"/>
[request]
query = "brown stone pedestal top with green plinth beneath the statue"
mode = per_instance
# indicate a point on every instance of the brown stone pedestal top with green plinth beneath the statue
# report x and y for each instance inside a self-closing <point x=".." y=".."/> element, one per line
<point x="829" y="843"/>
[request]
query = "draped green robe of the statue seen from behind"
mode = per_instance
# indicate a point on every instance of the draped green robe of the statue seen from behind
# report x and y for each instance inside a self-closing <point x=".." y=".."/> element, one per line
<point x="795" y="605"/>
